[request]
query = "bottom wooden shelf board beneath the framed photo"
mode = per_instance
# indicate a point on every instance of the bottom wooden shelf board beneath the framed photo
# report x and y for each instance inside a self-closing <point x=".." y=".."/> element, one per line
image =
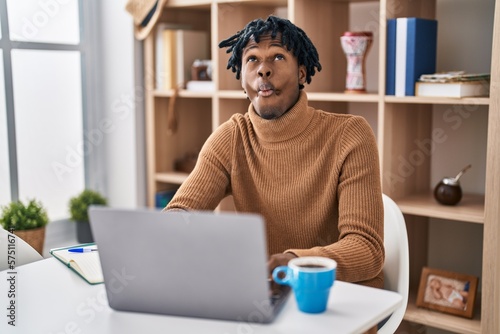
<point x="443" y="321"/>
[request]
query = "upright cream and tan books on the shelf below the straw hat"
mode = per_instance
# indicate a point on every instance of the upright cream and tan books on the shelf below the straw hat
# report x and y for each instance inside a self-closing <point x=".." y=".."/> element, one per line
<point x="177" y="48"/>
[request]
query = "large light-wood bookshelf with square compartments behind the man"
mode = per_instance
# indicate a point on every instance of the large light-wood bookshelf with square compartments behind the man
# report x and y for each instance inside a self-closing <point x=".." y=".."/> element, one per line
<point x="399" y="121"/>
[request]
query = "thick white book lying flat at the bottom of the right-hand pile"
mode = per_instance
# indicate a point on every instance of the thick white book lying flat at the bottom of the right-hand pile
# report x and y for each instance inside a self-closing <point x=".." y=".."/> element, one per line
<point x="452" y="89"/>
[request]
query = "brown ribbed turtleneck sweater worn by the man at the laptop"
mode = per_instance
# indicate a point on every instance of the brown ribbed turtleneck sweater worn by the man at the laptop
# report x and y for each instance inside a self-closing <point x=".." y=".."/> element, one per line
<point x="313" y="176"/>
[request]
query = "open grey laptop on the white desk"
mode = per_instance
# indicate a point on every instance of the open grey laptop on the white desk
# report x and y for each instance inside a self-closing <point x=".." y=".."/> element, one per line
<point x="197" y="264"/>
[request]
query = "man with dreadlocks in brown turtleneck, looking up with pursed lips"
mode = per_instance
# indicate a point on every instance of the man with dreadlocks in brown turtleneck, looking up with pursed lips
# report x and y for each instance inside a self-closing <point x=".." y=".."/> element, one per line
<point x="313" y="175"/>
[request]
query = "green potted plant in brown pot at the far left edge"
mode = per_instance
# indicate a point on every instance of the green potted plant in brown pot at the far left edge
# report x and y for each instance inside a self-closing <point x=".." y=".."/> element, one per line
<point x="27" y="221"/>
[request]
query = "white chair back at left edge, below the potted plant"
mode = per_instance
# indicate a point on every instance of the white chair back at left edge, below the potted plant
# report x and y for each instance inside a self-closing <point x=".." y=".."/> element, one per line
<point x="24" y="253"/>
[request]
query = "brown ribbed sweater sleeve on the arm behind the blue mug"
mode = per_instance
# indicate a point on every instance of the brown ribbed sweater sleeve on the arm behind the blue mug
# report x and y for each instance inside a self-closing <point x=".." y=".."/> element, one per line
<point x="359" y="251"/>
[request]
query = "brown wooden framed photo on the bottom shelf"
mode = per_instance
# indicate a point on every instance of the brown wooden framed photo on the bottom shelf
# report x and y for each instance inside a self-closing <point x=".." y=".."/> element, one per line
<point x="447" y="292"/>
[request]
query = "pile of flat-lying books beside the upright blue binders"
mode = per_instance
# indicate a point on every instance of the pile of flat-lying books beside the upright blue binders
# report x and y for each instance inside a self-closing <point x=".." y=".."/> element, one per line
<point x="453" y="84"/>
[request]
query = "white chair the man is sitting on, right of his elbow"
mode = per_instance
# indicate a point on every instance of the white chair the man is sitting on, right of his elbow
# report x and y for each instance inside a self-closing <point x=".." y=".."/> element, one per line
<point x="396" y="266"/>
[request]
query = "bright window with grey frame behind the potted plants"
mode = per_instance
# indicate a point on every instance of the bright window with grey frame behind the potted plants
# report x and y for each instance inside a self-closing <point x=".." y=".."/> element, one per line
<point x="44" y="97"/>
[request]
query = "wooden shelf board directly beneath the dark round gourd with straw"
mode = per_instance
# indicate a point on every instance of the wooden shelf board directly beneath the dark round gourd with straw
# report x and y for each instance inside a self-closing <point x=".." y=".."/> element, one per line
<point x="470" y="209"/>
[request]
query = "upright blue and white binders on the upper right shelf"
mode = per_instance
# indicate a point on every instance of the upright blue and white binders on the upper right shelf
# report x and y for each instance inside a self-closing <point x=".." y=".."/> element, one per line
<point x="411" y="52"/>
